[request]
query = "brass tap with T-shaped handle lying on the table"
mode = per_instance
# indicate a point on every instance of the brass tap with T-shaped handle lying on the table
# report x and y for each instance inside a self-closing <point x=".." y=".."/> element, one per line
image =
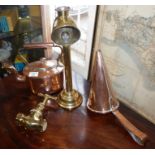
<point x="35" y="120"/>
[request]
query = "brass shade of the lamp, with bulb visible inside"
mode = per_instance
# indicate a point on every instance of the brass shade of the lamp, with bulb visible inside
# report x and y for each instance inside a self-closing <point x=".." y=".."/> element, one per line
<point x="65" y="31"/>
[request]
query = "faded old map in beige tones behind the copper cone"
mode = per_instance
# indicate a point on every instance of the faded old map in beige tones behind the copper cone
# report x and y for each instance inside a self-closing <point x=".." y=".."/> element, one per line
<point x="128" y="46"/>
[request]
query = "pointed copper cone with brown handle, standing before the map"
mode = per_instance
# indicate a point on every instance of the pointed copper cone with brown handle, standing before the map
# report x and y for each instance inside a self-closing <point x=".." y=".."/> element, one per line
<point x="107" y="102"/>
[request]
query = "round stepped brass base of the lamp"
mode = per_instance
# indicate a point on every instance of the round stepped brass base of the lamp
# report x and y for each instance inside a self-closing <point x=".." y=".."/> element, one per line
<point x="69" y="100"/>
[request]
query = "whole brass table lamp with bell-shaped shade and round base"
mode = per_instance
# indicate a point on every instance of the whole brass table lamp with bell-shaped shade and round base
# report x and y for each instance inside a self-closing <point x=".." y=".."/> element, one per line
<point x="66" y="33"/>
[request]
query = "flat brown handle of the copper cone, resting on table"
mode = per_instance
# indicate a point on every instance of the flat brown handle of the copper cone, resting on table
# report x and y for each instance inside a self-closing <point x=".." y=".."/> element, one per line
<point x="137" y="135"/>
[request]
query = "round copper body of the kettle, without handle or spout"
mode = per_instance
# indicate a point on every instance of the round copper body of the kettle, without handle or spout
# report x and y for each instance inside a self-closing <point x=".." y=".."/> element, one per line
<point x="44" y="76"/>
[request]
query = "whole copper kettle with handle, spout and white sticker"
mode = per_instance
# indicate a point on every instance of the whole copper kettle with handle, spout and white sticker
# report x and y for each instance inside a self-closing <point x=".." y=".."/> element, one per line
<point x="42" y="76"/>
